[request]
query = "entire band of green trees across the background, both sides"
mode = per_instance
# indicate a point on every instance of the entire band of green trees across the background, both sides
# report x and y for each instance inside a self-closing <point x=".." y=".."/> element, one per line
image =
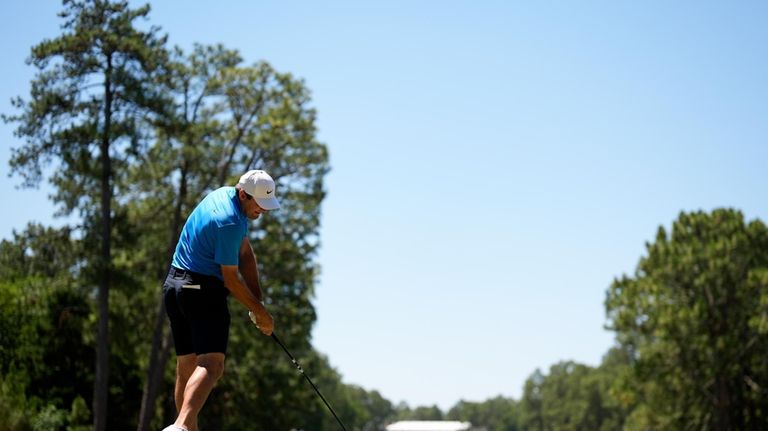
<point x="133" y="132"/>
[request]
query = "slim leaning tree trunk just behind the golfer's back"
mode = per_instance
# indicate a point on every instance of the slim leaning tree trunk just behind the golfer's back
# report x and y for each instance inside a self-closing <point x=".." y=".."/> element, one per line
<point x="161" y="341"/>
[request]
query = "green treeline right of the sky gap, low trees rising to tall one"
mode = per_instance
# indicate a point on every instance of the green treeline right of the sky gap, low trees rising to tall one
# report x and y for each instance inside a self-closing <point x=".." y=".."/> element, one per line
<point x="692" y="343"/>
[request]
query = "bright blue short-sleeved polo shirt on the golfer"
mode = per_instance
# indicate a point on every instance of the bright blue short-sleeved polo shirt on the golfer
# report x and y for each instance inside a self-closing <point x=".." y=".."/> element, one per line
<point x="212" y="234"/>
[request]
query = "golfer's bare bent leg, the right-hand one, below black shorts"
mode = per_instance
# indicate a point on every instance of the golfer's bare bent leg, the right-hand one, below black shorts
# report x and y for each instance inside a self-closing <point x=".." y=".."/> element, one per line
<point x="208" y="370"/>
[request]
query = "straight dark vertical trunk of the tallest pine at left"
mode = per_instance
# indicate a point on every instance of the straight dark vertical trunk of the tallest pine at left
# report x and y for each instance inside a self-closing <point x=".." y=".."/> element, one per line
<point x="101" y="386"/>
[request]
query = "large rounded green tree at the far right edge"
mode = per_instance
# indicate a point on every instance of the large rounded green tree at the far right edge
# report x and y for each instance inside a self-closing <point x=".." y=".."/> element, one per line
<point x="695" y="318"/>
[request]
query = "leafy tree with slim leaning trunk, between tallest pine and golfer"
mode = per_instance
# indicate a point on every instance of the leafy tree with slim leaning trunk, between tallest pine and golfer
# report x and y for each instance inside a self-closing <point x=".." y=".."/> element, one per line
<point x="174" y="171"/>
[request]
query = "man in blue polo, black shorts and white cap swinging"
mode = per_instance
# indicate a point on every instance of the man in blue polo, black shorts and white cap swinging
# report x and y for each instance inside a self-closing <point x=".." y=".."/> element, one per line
<point x="213" y="249"/>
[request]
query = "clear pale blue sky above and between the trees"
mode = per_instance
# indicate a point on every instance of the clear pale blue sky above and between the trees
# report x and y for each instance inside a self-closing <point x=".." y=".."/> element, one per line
<point x="495" y="164"/>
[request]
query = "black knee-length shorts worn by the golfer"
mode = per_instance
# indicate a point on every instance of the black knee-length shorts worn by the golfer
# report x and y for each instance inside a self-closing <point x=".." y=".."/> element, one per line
<point x="197" y="307"/>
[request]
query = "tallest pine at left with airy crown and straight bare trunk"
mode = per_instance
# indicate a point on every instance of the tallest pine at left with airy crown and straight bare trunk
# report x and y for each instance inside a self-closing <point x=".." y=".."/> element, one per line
<point x="93" y="87"/>
